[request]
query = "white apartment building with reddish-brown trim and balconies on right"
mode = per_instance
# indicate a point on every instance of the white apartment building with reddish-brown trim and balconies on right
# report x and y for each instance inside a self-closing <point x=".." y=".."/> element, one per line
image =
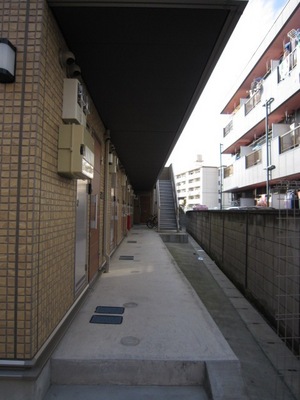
<point x="262" y="133"/>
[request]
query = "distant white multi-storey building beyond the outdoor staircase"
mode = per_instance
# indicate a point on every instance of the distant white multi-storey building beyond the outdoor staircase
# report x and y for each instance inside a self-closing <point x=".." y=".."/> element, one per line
<point x="198" y="185"/>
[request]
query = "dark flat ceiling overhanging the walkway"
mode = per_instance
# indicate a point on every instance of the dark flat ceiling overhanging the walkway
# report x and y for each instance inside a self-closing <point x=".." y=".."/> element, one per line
<point x="145" y="64"/>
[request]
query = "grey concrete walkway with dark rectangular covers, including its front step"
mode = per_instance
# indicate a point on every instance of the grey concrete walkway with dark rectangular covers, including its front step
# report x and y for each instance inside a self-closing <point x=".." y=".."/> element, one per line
<point x="167" y="345"/>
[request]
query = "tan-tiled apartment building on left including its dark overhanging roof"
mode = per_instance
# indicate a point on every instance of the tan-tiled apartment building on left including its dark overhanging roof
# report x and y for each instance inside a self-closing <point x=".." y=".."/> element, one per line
<point x="90" y="111"/>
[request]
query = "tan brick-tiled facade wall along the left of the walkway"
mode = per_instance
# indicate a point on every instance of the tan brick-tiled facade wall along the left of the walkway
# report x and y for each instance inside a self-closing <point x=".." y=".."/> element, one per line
<point x="38" y="206"/>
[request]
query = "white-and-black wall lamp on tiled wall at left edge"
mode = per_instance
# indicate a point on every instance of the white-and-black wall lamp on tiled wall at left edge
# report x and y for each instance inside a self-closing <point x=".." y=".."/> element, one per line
<point x="7" y="61"/>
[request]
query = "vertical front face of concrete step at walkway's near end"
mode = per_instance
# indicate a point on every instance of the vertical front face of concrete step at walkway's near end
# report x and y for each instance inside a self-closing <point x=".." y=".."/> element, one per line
<point x="127" y="372"/>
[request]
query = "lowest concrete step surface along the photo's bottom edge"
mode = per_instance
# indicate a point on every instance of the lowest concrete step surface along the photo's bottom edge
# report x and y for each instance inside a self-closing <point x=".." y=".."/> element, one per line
<point x="95" y="392"/>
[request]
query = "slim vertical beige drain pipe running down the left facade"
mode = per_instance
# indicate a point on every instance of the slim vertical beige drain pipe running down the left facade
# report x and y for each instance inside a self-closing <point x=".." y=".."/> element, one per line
<point x="106" y="200"/>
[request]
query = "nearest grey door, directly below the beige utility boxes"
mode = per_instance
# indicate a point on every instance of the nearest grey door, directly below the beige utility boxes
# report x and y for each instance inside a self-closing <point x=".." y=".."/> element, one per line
<point x="81" y="235"/>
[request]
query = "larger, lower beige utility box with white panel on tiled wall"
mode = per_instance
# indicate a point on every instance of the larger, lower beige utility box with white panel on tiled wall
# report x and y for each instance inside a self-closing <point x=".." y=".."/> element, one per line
<point x="75" y="152"/>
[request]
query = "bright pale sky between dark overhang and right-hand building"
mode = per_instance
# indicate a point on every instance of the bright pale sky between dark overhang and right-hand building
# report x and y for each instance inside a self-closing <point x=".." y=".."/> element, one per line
<point x="203" y="131"/>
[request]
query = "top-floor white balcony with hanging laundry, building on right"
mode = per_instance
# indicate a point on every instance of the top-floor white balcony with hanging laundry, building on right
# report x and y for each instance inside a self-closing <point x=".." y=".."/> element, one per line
<point x="283" y="84"/>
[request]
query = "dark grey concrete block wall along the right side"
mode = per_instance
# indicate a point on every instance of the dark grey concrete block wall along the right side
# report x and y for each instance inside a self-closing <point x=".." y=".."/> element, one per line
<point x="260" y="252"/>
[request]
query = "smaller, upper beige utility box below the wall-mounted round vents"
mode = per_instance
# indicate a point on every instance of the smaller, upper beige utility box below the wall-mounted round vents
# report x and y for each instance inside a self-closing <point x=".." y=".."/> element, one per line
<point x="75" y="102"/>
